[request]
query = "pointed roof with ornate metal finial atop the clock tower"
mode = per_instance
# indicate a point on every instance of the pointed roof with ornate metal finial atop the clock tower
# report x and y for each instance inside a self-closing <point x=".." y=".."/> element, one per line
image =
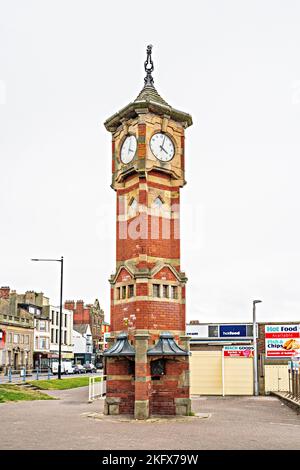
<point x="147" y="100"/>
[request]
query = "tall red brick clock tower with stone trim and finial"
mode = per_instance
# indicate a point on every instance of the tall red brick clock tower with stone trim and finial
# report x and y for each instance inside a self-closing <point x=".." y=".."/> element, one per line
<point x="148" y="358"/>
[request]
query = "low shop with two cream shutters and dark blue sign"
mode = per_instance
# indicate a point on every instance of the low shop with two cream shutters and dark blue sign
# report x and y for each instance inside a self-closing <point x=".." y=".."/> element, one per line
<point x="221" y="360"/>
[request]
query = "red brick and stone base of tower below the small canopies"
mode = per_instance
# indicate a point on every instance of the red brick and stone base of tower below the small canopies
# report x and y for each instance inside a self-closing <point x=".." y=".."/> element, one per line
<point x="134" y="388"/>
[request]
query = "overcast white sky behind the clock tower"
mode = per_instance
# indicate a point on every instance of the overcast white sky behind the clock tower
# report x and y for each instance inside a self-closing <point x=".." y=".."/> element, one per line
<point x="67" y="65"/>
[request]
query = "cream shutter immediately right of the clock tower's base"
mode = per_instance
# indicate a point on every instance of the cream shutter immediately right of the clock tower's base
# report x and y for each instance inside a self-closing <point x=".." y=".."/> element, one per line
<point x="206" y="372"/>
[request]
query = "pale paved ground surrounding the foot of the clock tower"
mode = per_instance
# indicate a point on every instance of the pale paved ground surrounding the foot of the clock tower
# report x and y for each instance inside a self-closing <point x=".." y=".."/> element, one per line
<point x="234" y="423"/>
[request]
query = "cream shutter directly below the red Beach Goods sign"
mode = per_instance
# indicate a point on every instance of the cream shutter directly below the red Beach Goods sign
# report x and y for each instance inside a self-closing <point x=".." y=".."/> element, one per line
<point x="238" y="376"/>
